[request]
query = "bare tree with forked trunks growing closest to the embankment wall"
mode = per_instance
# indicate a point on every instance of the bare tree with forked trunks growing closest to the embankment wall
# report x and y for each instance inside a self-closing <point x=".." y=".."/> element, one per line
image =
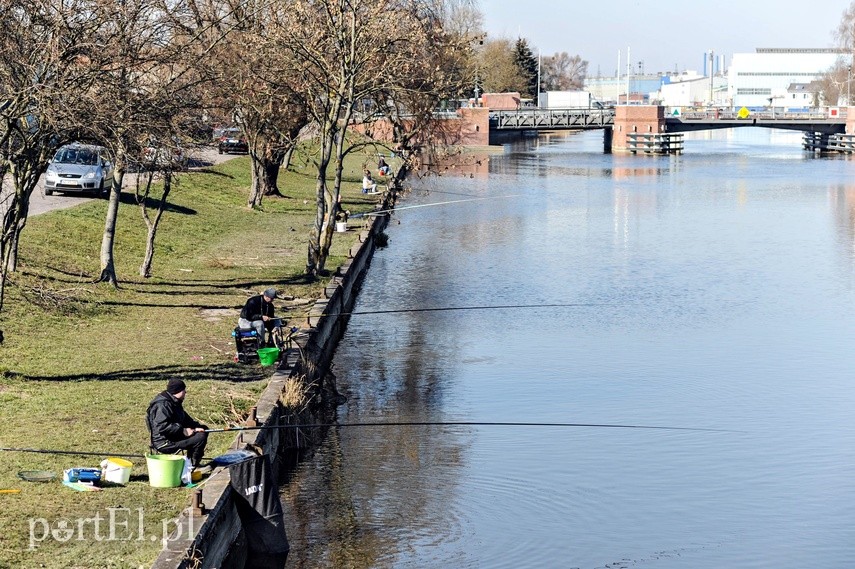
<point x="339" y="51"/>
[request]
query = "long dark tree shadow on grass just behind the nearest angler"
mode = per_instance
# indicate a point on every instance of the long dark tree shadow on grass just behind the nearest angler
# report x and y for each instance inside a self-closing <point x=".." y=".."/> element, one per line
<point x="233" y="372"/>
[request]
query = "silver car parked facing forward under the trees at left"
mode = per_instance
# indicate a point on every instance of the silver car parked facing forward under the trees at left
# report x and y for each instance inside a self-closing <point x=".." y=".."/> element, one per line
<point x="79" y="168"/>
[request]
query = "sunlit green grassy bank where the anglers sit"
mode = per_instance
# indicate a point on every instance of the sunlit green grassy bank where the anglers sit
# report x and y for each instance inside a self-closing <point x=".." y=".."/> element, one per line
<point x="82" y="361"/>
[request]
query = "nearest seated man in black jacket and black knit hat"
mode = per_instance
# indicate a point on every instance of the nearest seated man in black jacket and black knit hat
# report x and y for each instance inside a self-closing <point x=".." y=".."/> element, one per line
<point x="171" y="428"/>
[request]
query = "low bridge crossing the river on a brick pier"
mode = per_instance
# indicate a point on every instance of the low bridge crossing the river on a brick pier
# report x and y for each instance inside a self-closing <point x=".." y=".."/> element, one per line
<point x="624" y="124"/>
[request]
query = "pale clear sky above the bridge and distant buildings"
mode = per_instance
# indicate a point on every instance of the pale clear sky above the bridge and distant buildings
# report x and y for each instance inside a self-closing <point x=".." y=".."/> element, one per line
<point x="662" y="33"/>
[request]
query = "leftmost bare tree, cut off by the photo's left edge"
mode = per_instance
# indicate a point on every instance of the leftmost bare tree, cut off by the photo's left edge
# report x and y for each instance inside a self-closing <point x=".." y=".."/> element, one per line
<point x="45" y="54"/>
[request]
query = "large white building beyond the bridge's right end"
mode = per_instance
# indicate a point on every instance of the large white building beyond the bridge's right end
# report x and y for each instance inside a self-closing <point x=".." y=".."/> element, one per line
<point x="763" y="78"/>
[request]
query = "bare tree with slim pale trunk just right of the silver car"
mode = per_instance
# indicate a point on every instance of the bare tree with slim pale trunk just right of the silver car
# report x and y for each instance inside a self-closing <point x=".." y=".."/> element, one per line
<point x="153" y="67"/>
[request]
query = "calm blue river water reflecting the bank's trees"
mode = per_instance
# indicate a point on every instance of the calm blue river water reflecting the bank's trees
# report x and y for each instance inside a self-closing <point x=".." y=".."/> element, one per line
<point x="712" y="290"/>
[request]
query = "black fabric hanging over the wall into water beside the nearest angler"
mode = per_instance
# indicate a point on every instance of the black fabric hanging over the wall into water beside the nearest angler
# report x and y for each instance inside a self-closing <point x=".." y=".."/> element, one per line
<point x="260" y="511"/>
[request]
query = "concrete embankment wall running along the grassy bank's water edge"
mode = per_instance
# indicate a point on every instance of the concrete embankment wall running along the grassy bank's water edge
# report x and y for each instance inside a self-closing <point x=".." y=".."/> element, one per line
<point x="213" y="536"/>
